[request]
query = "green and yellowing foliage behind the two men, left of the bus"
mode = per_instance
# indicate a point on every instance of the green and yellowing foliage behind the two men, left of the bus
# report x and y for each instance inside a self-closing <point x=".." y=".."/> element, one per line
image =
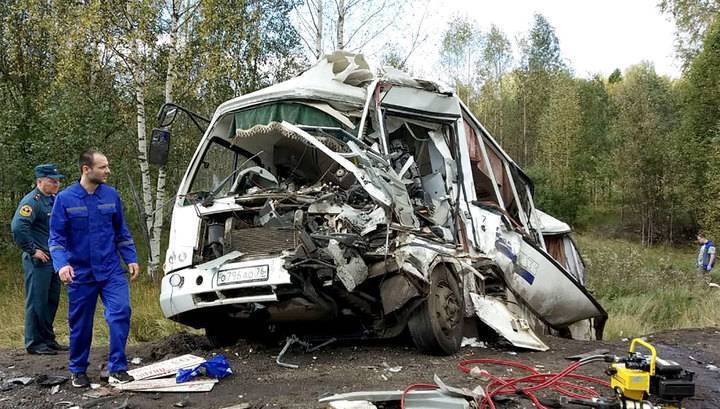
<point x="68" y="73"/>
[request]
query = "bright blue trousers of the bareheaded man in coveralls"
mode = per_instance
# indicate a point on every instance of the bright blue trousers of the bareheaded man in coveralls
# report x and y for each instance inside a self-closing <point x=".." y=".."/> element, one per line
<point x="82" y="300"/>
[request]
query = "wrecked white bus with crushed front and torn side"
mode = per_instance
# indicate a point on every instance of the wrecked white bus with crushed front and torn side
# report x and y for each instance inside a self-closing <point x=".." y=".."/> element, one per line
<point x="344" y="203"/>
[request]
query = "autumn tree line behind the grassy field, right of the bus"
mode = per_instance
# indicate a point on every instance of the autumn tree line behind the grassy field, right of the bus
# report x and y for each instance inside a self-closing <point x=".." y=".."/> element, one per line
<point x="633" y="154"/>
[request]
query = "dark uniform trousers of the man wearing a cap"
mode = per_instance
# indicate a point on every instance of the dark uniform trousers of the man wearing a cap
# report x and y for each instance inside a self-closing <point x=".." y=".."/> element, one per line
<point x="42" y="296"/>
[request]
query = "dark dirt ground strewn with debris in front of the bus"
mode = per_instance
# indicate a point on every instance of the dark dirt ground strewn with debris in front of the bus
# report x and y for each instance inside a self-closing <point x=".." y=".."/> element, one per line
<point x="341" y="367"/>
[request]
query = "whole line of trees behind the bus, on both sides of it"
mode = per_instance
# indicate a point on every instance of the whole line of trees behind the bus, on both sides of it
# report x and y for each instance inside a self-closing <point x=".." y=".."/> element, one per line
<point x="634" y="152"/>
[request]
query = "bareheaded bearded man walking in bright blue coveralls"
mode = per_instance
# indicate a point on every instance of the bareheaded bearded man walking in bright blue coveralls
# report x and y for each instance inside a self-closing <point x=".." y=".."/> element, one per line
<point x="88" y="236"/>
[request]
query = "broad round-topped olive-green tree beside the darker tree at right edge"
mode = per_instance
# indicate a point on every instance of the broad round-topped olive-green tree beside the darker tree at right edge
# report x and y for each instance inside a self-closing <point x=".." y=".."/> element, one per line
<point x="649" y="162"/>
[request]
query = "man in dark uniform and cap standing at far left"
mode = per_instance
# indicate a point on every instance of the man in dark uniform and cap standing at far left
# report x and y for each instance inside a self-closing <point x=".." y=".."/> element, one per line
<point x="42" y="285"/>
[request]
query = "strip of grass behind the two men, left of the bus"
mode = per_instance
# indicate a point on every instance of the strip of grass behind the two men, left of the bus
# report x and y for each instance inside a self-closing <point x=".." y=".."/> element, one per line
<point x="147" y="323"/>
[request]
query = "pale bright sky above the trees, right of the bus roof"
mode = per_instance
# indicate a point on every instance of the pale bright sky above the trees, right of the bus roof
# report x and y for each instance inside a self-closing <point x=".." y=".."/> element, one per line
<point x="595" y="36"/>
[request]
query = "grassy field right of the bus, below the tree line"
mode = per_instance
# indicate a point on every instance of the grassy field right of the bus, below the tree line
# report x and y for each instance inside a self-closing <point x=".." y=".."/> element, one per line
<point x="645" y="289"/>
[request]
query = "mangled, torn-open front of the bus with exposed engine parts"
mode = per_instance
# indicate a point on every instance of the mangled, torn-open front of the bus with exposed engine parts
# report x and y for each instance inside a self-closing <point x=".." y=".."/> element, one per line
<point x="359" y="235"/>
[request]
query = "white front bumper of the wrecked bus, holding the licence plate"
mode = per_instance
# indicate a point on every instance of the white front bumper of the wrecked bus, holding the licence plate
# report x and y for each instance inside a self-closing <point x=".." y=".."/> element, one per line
<point x="243" y="282"/>
